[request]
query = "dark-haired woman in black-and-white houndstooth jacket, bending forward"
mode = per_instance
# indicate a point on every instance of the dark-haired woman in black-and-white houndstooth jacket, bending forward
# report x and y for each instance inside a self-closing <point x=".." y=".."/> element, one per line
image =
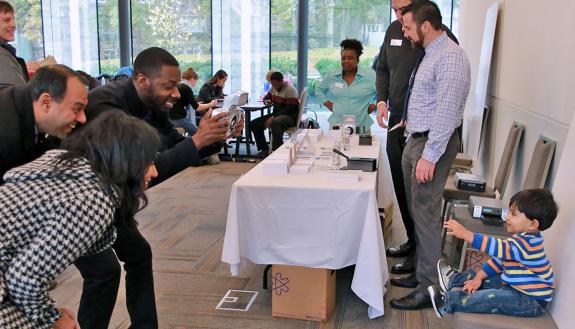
<point x="62" y="206"/>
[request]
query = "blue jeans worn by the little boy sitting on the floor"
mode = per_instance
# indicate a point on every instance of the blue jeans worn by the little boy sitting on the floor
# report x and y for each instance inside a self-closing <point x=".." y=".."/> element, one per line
<point x="492" y="297"/>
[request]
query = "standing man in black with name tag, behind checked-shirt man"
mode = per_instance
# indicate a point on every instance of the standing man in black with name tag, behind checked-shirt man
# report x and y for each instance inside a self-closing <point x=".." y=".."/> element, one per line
<point x="395" y="64"/>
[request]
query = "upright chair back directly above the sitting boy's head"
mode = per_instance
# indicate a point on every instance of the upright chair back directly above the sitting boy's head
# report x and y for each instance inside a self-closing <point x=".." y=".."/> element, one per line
<point x="540" y="163"/>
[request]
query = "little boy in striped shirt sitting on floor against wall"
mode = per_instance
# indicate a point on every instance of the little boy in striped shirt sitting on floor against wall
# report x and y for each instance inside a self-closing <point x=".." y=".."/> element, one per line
<point x="518" y="279"/>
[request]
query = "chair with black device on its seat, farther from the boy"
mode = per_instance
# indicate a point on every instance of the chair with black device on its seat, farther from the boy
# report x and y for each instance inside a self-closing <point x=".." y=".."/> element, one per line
<point x="451" y="192"/>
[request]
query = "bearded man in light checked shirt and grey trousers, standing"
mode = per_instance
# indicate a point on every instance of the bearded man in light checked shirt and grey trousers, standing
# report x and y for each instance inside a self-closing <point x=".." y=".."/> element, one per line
<point x="434" y="105"/>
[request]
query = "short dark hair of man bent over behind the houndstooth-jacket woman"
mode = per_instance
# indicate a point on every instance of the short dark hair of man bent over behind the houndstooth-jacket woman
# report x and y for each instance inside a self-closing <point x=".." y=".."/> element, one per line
<point x="52" y="79"/>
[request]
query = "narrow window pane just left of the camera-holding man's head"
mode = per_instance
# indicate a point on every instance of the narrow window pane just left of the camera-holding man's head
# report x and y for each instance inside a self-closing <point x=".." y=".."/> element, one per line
<point x="109" y="36"/>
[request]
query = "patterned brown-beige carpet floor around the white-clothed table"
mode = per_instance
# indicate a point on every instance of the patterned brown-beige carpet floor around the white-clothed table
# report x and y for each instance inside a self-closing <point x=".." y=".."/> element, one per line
<point x="185" y="224"/>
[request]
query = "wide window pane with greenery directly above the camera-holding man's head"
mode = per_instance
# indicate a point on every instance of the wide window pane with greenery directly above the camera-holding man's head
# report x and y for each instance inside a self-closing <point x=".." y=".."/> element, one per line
<point x="181" y="27"/>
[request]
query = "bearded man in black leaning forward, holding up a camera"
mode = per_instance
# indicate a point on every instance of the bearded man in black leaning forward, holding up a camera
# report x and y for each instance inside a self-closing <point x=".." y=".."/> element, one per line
<point x="148" y="95"/>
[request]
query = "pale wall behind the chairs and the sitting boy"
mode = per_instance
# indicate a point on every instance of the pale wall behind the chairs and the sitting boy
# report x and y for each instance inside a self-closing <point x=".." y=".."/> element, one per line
<point x="533" y="82"/>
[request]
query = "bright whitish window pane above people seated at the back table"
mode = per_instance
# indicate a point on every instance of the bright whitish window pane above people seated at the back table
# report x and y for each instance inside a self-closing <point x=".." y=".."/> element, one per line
<point x="241" y="44"/>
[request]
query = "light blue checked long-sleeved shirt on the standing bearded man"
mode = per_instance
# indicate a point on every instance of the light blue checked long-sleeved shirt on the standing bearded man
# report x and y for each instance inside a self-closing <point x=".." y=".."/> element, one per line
<point x="438" y="96"/>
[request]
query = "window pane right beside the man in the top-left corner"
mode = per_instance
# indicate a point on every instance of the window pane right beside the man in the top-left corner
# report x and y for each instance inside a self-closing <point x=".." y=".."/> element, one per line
<point x="29" y="42"/>
